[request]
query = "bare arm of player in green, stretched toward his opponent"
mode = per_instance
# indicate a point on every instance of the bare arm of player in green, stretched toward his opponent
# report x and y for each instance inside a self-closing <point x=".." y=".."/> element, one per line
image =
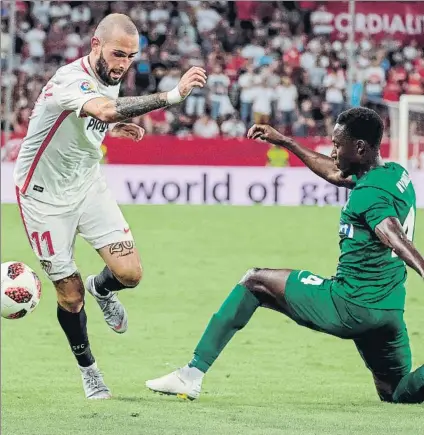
<point x="318" y="163"/>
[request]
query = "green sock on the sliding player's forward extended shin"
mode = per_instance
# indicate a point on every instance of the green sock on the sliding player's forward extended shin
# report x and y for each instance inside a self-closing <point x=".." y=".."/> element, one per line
<point x="233" y="315"/>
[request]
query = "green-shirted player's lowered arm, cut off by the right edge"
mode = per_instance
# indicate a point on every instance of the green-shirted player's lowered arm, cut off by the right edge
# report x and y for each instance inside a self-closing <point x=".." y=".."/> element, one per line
<point x="391" y="234"/>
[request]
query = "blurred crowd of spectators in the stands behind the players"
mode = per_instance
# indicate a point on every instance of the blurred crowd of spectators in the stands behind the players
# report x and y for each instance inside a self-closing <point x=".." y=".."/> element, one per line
<point x="269" y="62"/>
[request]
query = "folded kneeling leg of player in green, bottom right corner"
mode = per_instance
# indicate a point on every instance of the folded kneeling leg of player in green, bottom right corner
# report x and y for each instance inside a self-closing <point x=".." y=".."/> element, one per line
<point x="387" y="354"/>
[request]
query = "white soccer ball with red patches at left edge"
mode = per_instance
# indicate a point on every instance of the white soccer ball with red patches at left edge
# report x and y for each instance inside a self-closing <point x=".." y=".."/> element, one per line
<point x="20" y="290"/>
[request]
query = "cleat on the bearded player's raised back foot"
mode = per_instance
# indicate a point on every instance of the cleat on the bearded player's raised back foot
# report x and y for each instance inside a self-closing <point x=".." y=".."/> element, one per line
<point x="113" y="310"/>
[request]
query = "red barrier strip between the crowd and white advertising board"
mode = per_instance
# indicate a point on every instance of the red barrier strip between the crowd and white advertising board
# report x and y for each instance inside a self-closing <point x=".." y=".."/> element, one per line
<point x="170" y="150"/>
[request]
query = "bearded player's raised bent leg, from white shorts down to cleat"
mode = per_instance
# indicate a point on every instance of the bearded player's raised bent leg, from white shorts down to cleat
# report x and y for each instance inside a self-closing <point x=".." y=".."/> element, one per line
<point x="105" y="228"/>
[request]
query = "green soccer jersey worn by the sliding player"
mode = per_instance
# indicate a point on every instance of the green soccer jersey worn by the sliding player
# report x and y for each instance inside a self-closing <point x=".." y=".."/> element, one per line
<point x="369" y="273"/>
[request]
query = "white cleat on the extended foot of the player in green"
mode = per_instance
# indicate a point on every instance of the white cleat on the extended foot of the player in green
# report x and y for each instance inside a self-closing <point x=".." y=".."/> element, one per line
<point x="185" y="383"/>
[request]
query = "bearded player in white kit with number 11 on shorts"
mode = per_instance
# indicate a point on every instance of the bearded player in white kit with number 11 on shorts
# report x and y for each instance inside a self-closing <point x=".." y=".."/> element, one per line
<point x="61" y="190"/>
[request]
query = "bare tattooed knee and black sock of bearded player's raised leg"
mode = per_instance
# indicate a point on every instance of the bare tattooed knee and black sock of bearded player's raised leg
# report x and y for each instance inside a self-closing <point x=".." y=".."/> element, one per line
<point x="123" y="268"/>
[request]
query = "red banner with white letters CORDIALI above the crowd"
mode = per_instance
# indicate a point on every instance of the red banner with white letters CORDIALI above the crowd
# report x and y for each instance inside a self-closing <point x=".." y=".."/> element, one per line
<point x="403" y="20"/>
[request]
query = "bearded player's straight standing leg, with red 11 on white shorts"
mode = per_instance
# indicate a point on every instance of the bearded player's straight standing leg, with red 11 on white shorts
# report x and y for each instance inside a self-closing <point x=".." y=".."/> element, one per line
<point x="51" y="231"/>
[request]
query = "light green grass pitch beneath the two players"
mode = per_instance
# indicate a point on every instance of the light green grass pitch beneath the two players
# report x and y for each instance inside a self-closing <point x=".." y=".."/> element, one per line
<point x="274" y="377"/>
